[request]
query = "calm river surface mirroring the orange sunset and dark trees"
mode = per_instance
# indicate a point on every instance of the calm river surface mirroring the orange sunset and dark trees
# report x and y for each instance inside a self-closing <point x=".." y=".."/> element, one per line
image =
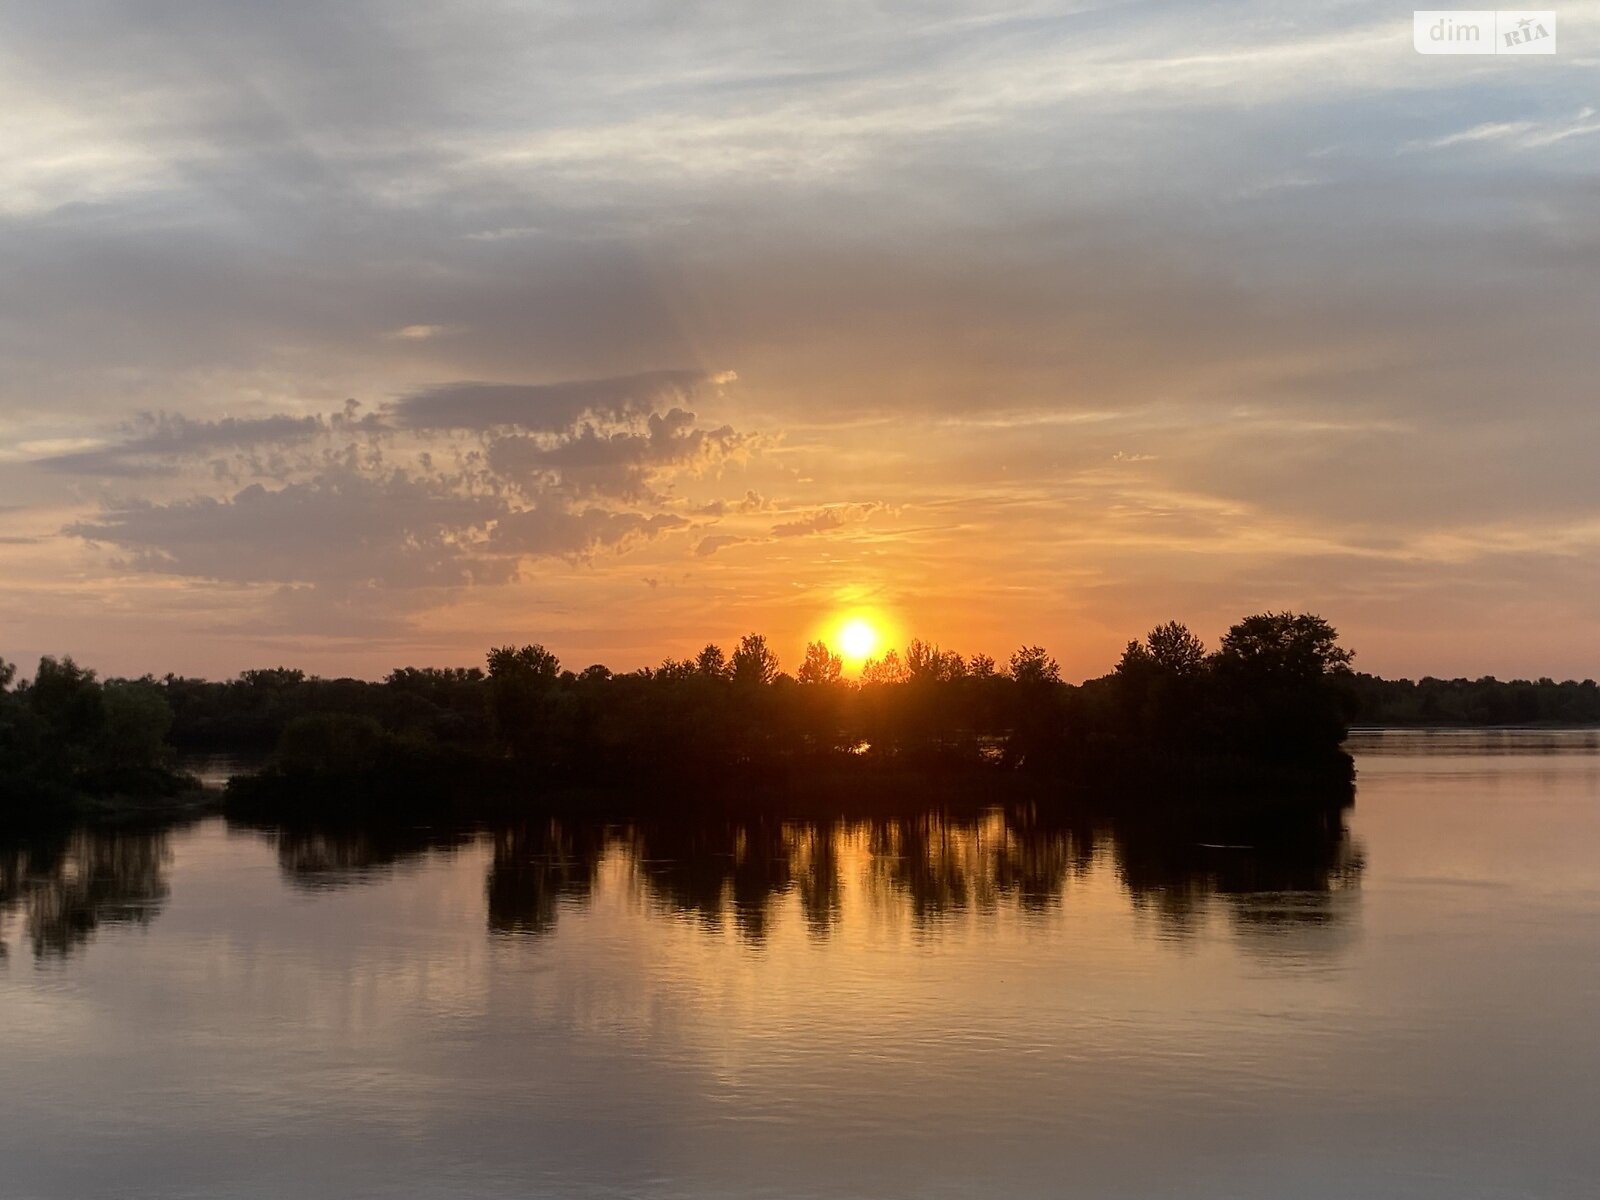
<point x="913" y="1009"/>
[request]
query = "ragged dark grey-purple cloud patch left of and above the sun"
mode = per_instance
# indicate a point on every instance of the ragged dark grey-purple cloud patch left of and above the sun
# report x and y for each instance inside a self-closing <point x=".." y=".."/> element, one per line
<point x="374" y="511"/>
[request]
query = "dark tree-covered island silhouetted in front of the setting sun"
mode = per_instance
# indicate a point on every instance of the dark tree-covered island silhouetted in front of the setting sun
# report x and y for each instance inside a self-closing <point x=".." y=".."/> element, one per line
<point x="1266" y="708"/>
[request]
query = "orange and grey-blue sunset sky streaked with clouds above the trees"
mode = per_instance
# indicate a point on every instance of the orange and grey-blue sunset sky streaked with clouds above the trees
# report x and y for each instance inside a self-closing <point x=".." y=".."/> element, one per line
<point x="362" y="335"/>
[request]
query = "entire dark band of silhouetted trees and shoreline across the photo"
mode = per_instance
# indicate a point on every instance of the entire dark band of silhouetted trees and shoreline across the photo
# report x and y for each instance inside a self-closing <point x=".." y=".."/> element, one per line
<point x="1263" y="713"/>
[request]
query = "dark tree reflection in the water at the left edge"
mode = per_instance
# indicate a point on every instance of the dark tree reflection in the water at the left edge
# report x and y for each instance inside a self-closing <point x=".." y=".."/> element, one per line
<point x="68" y="886"/>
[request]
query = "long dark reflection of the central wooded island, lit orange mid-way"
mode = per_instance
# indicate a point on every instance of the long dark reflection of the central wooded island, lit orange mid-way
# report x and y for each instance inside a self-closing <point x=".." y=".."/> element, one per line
<point x="714" y="870"/>
